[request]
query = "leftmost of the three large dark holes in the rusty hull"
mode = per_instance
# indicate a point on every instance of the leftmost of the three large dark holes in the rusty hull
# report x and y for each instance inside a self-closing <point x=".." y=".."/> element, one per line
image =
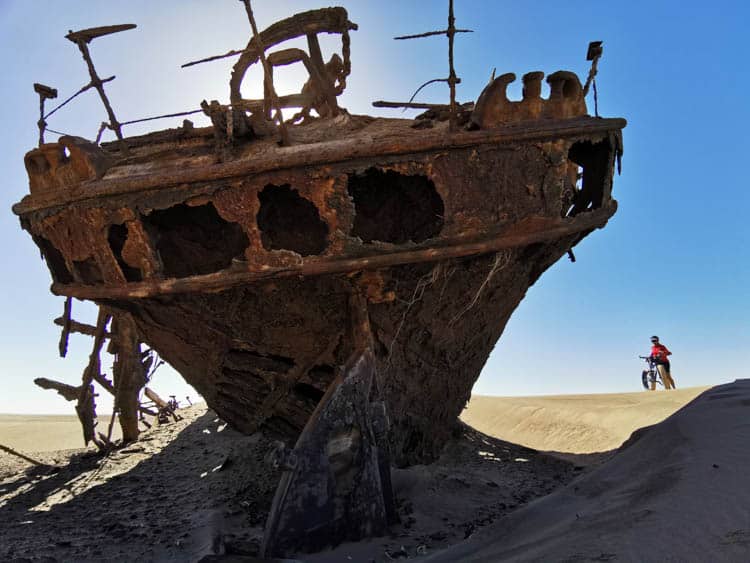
<point x="194" y="240"/>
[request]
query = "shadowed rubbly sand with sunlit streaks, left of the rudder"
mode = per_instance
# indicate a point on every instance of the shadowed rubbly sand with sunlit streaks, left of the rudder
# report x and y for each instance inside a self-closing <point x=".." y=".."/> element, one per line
<point x="162" y="498"/>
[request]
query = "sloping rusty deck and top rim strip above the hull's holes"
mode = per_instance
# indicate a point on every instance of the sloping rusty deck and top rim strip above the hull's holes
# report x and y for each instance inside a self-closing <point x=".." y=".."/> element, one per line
<point x="173" y="157"/>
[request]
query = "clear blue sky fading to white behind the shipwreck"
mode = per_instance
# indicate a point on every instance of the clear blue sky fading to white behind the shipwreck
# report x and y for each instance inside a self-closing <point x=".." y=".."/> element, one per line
<point x="674" y="261"/>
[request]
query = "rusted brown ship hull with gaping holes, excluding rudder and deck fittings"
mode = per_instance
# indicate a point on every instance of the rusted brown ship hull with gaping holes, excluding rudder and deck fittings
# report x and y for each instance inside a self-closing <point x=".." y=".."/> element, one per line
<point x="240" y="272"/>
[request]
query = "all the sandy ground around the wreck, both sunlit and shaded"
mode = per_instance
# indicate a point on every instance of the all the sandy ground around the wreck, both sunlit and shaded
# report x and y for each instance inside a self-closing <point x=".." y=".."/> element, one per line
<point x="196" y="489"/>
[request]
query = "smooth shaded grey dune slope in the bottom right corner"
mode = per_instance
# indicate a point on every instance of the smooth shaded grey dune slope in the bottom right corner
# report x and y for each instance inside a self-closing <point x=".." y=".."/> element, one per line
<point x="677" y="491"/>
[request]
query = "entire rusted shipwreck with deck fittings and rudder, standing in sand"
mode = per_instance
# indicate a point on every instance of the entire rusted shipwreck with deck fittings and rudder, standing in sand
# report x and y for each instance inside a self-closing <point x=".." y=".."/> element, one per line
<point x="338" y="280"/>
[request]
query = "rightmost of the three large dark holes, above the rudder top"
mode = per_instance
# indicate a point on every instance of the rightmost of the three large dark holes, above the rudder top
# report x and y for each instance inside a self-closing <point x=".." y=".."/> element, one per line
<point x="395" y="208"/>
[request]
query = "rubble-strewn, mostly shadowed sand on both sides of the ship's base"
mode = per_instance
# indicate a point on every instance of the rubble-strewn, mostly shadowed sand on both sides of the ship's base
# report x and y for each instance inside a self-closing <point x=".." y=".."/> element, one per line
<point x="194" y="488"/>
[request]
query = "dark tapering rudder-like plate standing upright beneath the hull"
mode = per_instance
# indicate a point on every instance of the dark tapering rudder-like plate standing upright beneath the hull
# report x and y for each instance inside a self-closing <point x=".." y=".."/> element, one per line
<point x="336" y="485"/>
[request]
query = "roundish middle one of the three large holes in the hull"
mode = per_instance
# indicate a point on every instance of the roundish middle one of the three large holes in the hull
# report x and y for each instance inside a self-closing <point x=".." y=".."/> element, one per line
<point x="288" y="221"/>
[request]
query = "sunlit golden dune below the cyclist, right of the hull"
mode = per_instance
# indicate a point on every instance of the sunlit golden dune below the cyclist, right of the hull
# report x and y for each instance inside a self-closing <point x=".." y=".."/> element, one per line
<point x="577" y="424"/>
